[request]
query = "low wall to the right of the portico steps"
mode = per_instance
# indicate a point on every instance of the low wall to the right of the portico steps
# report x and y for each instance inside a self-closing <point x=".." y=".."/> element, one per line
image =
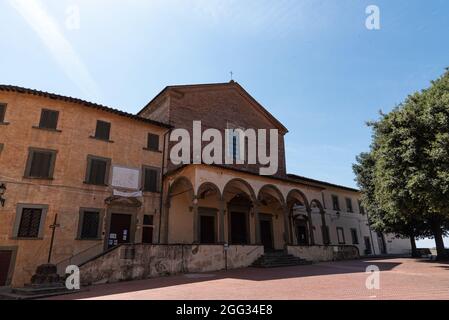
<point x="324" y="253"/>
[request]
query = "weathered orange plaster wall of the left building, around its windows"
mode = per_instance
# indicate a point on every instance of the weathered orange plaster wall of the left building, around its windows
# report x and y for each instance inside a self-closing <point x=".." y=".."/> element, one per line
<point x="66" y="192"/>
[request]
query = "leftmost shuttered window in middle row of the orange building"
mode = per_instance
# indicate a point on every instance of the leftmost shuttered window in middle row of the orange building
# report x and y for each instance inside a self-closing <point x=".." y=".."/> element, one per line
<point x="40" y="163"/>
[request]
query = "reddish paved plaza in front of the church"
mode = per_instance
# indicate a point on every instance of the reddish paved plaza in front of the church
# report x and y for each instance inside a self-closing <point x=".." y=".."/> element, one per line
<point x="400" y="278"/>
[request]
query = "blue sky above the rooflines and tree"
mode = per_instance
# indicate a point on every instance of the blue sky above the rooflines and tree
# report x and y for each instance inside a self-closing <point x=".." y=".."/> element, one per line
<point x="311" y="63"/>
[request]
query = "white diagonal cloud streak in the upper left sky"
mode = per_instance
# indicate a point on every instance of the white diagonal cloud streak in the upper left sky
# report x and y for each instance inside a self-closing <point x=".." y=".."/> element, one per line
<point x="60" y="48"/>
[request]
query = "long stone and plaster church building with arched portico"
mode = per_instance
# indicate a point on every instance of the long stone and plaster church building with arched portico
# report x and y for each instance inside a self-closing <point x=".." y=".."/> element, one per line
<point x="92" y="178"/>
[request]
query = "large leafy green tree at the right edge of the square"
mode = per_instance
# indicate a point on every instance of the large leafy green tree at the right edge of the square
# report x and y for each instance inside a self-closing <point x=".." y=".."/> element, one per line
<point x="408" y="165"/>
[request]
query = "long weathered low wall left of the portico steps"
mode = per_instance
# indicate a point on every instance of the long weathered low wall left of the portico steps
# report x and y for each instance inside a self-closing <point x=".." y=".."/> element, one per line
<point x="139" y="261"/>
